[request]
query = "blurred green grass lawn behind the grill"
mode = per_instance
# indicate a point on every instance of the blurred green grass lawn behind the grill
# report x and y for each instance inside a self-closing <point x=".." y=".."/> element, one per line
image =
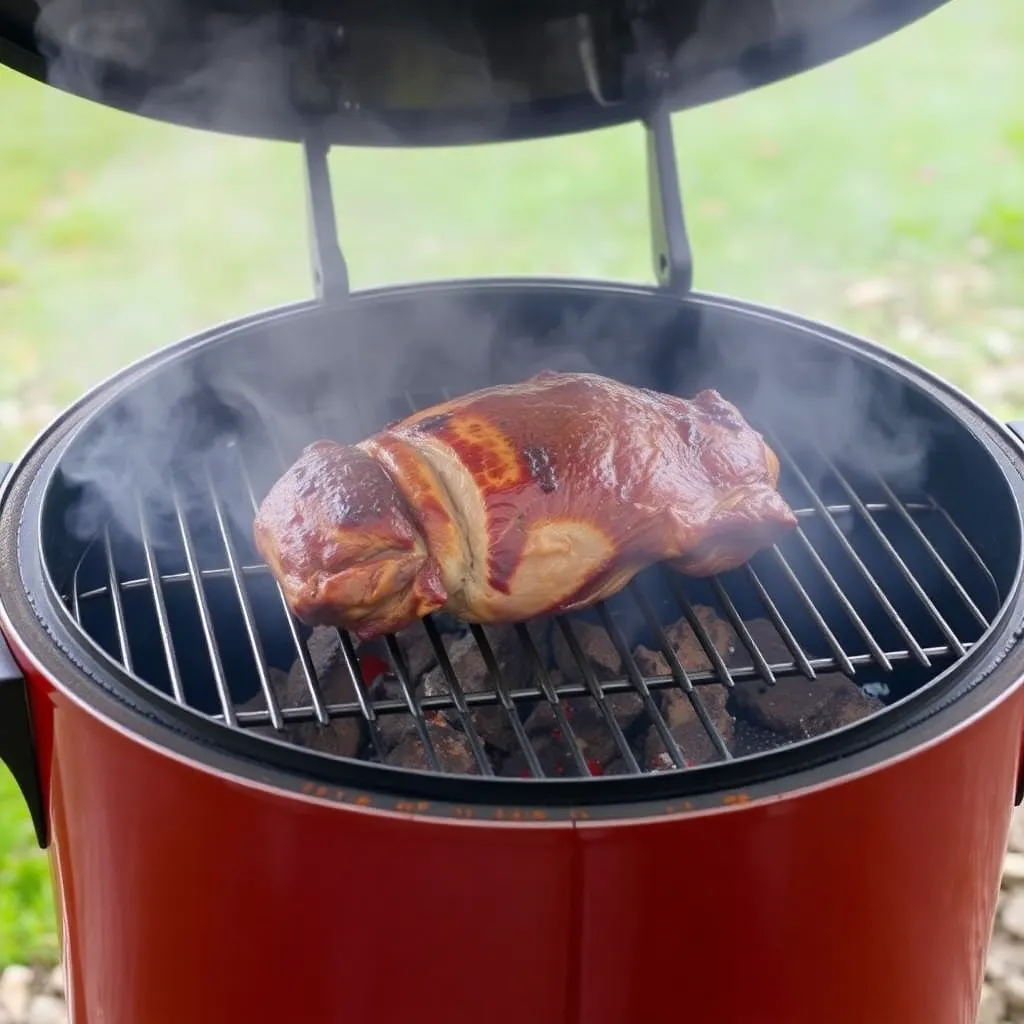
<point x="884" y="193"/>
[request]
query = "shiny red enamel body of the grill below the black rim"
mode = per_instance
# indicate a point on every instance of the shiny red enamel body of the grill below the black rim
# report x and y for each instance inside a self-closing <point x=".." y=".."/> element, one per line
<point x="189" y="895"/>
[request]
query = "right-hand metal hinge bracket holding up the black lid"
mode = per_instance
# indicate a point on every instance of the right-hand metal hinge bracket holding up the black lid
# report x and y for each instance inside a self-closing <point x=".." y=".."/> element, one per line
<point x="671" y="247"/>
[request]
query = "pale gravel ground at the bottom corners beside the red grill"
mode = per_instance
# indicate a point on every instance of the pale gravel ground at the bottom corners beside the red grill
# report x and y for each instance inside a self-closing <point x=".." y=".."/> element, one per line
<point x="36" y="997"/>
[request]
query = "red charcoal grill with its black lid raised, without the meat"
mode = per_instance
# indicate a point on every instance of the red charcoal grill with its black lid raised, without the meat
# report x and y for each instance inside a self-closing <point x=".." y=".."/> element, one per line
<point x="824" y="746"/>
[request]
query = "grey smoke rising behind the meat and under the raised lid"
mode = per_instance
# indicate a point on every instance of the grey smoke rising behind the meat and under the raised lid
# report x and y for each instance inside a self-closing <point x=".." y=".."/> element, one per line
<point x="346" y="373"/>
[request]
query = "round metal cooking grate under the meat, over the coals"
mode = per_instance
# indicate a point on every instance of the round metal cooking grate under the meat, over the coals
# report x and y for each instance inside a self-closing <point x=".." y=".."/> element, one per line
<point x="880" y="588"/>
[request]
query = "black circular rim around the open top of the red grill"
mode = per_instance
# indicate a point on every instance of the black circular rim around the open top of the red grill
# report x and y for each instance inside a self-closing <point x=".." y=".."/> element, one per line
<point x="62" y="646"/>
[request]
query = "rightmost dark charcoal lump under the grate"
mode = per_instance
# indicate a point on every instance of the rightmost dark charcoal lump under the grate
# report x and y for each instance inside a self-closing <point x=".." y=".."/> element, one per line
<point x="800" y="708"/>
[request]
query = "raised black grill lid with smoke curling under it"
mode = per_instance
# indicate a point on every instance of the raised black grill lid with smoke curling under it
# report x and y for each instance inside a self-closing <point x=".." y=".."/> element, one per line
<point x="422" y="72"/>
